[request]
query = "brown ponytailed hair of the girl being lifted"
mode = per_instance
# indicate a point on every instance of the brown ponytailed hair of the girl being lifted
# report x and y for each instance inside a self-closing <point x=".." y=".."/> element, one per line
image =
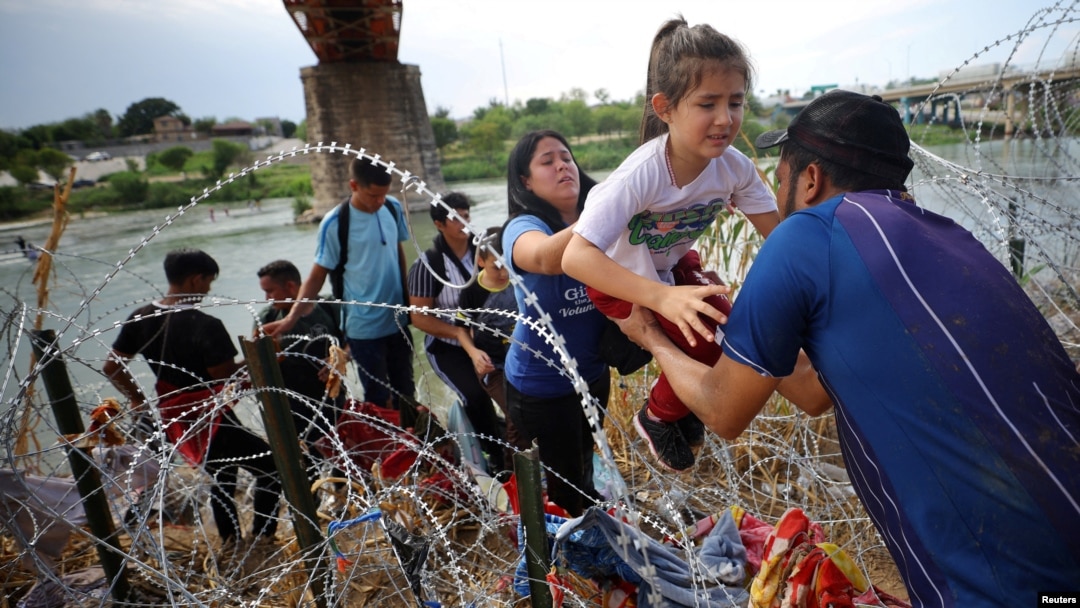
<point x="678" y="62"/>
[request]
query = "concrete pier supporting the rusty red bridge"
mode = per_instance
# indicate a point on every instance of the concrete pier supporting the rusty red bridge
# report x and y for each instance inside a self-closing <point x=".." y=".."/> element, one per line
<point x="374" y="105"/>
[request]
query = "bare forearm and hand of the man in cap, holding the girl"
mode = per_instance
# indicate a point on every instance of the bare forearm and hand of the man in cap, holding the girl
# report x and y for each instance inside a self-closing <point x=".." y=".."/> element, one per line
<point x="728" y="396"/>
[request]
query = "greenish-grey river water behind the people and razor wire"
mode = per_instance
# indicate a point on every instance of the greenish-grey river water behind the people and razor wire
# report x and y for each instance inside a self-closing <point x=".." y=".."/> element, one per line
<point x="89" y="296"/>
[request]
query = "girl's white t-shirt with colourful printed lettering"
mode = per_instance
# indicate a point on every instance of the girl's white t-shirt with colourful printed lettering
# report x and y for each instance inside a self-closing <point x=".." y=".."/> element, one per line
<point x="646" y="224"/>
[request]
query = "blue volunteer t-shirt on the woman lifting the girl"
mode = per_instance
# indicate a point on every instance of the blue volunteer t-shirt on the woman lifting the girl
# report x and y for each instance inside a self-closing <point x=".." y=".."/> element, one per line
<point x="573" y="315"/>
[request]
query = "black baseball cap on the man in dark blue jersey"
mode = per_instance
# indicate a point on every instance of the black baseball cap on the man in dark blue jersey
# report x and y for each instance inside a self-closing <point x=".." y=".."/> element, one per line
<point x="853" y="130"/>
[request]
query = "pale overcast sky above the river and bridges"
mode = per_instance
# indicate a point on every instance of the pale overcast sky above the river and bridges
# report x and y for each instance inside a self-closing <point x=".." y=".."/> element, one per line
<point x="241" y="59"/>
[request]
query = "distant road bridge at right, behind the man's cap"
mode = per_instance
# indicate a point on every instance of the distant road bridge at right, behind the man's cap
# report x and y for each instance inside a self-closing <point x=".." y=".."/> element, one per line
<point x="938" y="99"/>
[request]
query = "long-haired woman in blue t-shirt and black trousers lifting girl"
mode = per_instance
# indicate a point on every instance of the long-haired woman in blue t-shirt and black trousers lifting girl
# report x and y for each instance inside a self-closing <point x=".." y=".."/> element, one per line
<point x="547" y="194"/>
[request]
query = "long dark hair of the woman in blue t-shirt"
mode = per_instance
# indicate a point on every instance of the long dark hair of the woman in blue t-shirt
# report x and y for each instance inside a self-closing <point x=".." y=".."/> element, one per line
<point x="523" y="201"/>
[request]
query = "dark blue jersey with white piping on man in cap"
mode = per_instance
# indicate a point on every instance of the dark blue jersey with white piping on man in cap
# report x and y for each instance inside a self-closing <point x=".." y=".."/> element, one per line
<point x="956" y="404"/>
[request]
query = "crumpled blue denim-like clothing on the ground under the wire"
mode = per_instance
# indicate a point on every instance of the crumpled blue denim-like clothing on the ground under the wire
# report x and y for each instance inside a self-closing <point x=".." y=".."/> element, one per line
<point x="598" y="546"/>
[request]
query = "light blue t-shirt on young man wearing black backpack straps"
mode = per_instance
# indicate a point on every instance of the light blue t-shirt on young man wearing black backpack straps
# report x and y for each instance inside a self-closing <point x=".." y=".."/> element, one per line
<point x="372" y="273"/>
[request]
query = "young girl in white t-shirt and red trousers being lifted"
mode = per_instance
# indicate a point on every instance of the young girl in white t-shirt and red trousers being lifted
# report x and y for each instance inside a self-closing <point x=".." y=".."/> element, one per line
<point x="633" y="244"/>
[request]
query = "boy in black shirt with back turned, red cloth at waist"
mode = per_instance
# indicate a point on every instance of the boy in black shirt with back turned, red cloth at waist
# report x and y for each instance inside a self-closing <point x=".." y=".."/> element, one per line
<point x="191" y="354"/>
